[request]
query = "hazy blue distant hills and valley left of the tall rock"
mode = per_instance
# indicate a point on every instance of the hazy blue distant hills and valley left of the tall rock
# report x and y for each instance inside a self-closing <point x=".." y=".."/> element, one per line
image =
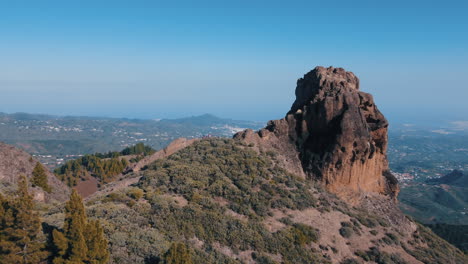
<point x="52" y="138"/>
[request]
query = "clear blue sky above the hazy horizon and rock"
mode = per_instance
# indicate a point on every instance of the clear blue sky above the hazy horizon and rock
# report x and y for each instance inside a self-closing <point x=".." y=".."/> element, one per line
<point x="236" y="59"/>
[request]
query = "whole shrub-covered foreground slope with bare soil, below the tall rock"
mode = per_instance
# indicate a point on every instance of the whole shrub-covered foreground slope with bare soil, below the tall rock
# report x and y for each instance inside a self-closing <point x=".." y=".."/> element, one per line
<point x="222" y="202"/>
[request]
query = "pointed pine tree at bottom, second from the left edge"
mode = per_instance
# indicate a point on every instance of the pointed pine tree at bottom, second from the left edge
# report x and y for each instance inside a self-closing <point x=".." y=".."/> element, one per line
<point x="80" y="242"/>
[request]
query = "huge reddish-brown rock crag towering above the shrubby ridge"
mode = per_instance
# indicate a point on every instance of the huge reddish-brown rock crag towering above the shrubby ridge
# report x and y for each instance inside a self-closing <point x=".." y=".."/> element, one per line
<point x="333" y="133"/>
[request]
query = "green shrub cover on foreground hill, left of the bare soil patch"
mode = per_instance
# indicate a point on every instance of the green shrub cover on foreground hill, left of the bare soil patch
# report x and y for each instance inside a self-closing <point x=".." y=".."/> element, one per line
<point x="250" y="186"/>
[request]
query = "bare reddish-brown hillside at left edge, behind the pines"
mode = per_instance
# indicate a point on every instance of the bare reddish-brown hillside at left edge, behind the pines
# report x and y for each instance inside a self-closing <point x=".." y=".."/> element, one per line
<point x="15" y="162"/>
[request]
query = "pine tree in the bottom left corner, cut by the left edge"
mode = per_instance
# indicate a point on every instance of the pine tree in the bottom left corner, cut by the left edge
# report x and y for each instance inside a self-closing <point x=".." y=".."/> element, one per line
<point x="20" y="229"/>
